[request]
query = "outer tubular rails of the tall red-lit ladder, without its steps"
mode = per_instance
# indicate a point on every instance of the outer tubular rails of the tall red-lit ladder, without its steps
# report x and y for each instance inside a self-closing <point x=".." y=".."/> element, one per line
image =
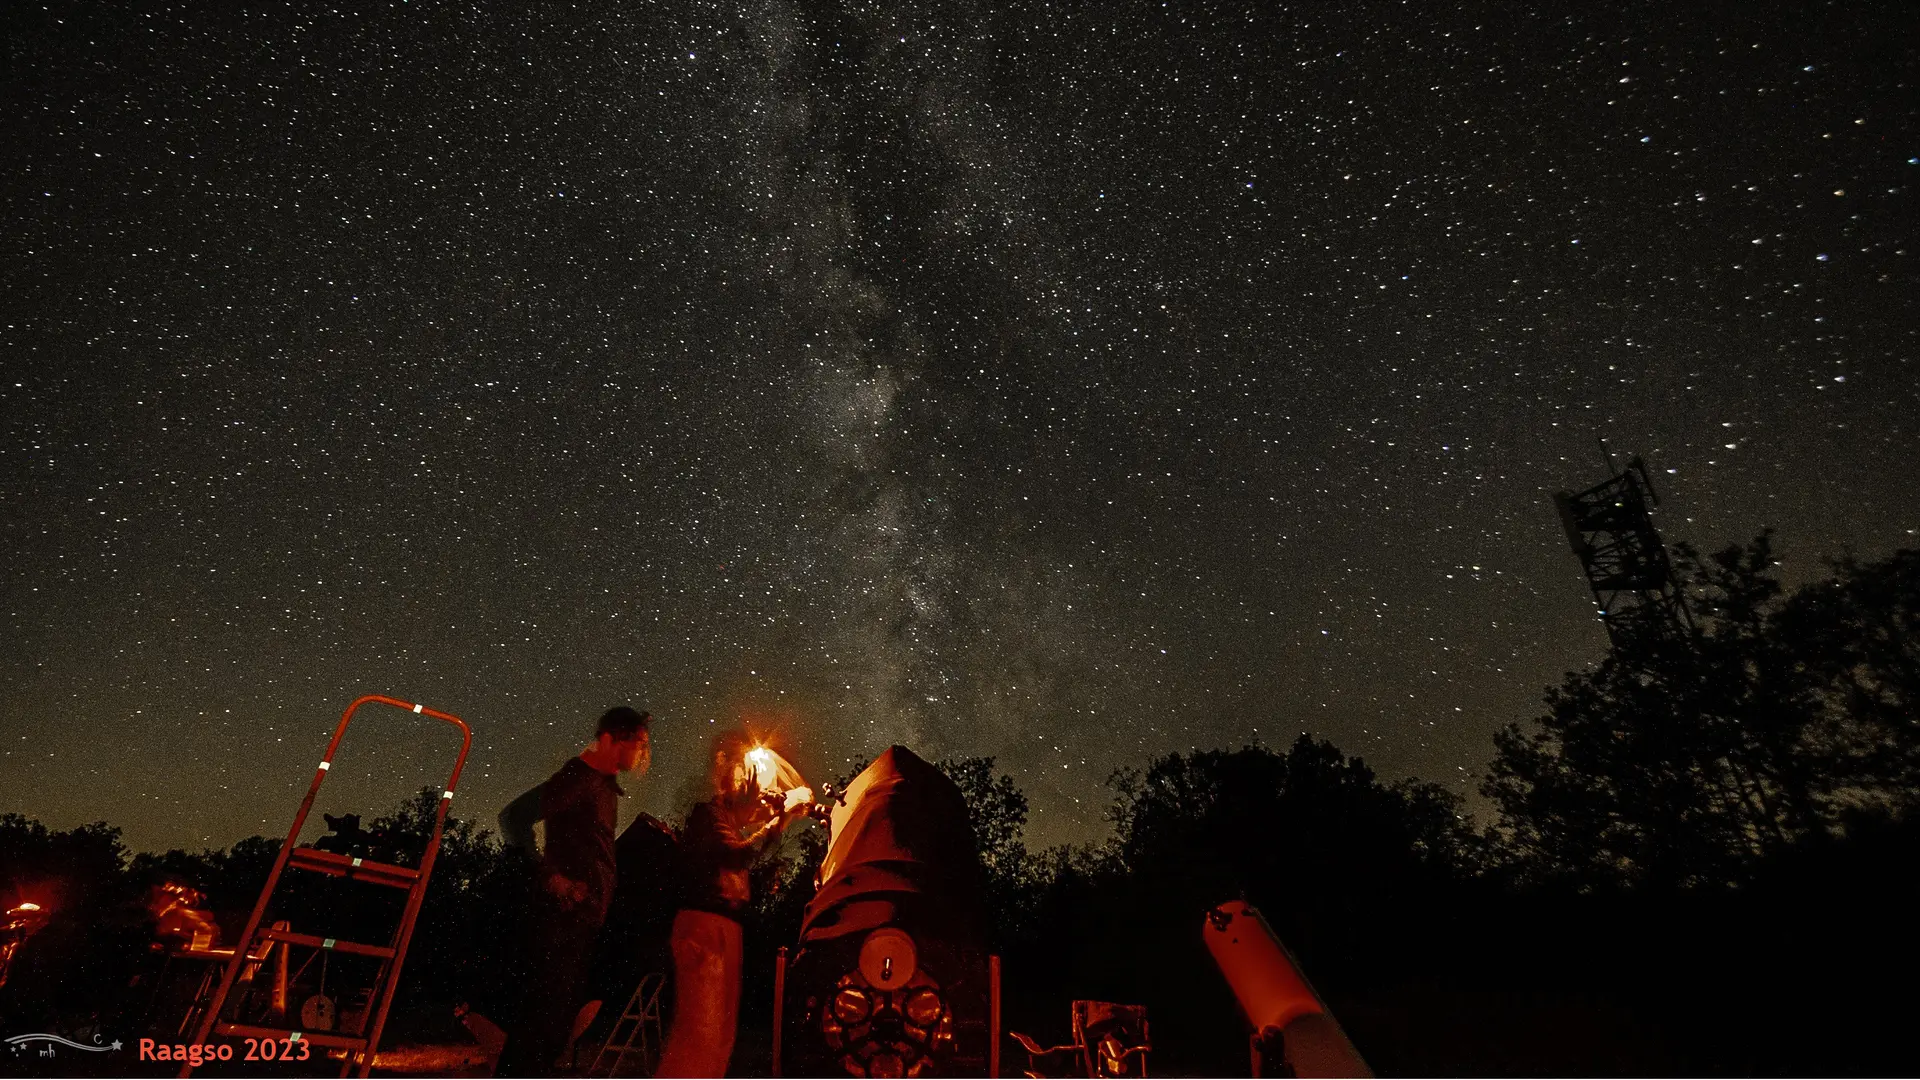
<point x="389" y="977"/>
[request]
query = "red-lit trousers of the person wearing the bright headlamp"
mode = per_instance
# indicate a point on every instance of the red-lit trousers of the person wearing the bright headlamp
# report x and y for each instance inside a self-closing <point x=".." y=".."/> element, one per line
<point x="708" y="952"/>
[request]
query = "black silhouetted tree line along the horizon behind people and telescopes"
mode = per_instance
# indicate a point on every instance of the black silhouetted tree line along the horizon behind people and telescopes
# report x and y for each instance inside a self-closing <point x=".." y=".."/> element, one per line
<point x="1702" y="862"/>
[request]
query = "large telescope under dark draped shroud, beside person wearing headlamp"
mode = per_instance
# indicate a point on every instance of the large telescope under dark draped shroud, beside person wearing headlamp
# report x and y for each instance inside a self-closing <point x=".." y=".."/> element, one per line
<point x="890" y="977"/>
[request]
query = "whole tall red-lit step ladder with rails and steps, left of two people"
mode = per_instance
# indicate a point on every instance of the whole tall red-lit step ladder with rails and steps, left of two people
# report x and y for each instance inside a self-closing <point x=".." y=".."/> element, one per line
<point x="360" y="1050"/>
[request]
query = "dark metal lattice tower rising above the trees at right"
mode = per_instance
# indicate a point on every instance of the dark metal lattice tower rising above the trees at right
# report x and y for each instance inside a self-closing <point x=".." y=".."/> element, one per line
<point x="1612" y="531"/>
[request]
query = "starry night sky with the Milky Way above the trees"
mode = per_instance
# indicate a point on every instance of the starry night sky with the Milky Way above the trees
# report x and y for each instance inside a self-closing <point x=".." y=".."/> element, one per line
<point x="1070" y="383"/>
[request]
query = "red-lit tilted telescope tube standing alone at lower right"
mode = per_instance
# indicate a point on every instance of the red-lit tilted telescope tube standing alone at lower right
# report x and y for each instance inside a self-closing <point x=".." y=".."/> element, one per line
<point x="1291" y="1023"/>
